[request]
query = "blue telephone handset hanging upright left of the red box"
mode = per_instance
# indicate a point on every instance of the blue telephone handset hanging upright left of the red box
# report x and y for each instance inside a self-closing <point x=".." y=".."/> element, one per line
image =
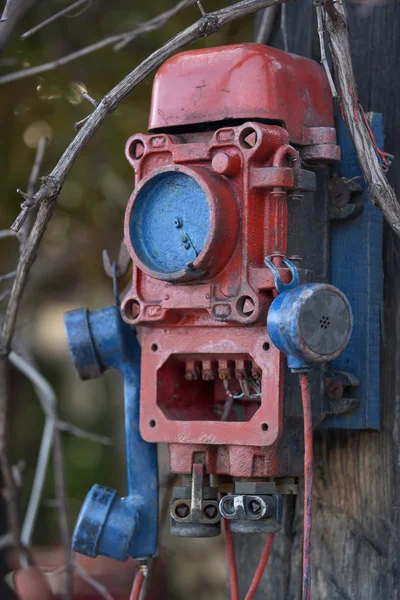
<point x="116" y="527"/>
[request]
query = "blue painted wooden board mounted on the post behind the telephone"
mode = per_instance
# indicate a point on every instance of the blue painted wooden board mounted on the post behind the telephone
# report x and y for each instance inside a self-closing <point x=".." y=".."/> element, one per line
<point x="356" y="269"/>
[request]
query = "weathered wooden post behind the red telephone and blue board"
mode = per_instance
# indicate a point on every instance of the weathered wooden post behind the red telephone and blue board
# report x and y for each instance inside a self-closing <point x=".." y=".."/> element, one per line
<point x="357" y="474"/>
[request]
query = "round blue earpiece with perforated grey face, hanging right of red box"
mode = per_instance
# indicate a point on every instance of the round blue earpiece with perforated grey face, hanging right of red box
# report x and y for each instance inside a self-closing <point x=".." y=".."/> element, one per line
<point x="311" y="323"/>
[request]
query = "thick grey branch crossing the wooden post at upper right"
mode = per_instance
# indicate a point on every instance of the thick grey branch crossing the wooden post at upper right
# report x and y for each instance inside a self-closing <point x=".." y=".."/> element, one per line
<point x="380" y="190"/>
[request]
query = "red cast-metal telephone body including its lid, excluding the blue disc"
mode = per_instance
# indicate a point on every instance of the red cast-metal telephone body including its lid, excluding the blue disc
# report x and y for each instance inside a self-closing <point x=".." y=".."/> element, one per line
<point x="226" y="117"/>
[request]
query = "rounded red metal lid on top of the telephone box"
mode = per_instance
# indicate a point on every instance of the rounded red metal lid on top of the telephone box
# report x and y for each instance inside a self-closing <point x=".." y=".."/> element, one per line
<point x="246" y="82"/>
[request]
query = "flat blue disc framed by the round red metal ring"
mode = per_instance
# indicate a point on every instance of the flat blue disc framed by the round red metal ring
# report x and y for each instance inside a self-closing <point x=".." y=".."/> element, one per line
<point x="169" y="207"/>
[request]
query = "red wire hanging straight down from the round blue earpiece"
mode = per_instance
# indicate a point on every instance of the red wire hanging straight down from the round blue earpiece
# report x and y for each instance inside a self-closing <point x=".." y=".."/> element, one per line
<point x="308" y="476"/>
